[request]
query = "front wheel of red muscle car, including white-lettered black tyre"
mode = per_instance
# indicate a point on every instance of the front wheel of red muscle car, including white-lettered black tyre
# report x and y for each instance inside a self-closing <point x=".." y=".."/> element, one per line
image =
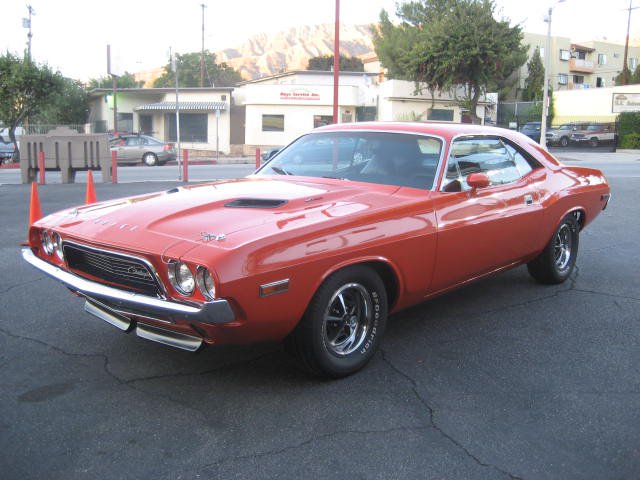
<point x="342" y="326"/>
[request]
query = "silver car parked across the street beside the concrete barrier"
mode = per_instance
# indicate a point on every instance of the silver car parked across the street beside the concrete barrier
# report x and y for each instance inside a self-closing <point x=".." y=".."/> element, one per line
<point x="135" y="148"/>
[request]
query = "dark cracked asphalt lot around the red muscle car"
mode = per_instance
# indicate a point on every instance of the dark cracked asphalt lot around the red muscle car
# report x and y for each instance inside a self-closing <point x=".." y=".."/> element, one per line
<point x="502" y="379"/>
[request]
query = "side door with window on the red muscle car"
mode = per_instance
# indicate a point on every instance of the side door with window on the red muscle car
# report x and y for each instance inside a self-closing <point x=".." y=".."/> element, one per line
<point x="483" y="229"/>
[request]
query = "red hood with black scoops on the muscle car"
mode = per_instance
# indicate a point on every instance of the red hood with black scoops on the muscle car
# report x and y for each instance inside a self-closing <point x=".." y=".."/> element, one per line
<point x="236" y="211"/>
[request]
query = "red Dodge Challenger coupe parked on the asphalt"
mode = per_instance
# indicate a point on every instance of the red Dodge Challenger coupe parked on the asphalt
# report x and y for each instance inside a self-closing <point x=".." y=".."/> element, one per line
<point x="340" y="228"/>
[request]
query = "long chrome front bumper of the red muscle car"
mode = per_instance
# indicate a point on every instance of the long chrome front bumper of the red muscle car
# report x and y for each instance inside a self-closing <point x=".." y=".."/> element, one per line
<point x="129" y="303"/>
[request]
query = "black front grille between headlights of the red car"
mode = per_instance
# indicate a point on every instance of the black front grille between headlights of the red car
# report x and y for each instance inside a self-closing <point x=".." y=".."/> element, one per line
<point x="113" y="268"/>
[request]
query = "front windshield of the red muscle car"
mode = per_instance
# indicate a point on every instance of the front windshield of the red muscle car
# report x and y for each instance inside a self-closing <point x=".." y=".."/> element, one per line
<point x="374" y="157"/>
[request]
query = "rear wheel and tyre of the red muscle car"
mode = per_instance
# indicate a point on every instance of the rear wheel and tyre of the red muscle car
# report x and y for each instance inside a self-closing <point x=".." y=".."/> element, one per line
<point x="556" y="262"/>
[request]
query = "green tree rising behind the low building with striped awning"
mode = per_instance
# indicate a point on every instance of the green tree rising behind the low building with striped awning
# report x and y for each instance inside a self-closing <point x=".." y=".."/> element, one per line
<point x="219" y="75"/>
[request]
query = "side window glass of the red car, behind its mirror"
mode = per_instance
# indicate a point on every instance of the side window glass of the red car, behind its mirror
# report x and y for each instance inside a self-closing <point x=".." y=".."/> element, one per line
<point x="500" y="161"/>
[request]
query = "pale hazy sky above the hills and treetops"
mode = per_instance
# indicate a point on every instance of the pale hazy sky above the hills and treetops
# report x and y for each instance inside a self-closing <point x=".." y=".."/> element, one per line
<point x="71" y="35"/>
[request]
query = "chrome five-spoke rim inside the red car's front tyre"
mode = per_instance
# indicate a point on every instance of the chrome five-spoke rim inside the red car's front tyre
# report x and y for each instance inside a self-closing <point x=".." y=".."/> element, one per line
<point x="347" y="319"/>
